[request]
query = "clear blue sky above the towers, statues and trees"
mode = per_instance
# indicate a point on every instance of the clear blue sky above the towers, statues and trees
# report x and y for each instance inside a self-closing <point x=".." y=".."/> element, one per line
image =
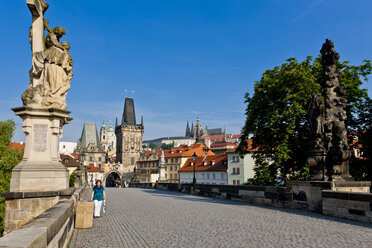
<point x="182" y="58"/>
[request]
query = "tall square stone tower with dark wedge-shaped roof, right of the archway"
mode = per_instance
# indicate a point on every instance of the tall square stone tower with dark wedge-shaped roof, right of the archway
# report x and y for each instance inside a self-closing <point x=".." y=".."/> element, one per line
<point x="128" y="137"/>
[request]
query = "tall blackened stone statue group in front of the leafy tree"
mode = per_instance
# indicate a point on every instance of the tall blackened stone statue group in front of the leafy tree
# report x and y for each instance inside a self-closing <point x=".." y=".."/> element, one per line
<point x="330" y="153"/>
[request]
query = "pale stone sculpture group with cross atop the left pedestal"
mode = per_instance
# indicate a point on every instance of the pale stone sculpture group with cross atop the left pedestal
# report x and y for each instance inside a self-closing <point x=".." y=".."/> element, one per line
<point x="51" y="71"/>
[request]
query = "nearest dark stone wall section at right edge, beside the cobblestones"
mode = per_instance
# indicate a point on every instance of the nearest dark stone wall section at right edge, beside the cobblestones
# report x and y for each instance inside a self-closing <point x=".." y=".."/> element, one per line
<point x="349" y="205"/>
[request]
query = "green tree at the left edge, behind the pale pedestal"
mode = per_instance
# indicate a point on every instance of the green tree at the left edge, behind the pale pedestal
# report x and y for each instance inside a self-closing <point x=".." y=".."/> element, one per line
<point x="9" y="158"/>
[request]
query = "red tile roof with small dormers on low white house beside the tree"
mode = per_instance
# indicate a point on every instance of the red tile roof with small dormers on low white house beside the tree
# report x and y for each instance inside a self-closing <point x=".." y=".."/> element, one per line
<point x="208" y="163"/>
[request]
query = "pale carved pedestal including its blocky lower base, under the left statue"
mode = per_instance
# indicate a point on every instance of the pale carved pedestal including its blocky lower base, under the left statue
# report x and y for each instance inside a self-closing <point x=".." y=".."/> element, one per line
<point x="38" y="182"/>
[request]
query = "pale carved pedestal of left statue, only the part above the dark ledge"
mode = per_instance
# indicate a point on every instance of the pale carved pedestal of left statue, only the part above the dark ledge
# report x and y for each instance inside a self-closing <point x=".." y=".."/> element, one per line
<point x="40" y="169"/>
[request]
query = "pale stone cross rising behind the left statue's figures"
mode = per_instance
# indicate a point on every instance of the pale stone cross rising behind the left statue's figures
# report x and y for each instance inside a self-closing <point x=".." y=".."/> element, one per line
<point x="37" y="8"/>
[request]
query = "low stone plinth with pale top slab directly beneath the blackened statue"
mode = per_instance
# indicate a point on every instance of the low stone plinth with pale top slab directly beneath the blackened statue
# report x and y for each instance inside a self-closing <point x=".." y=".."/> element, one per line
<point x="308" y="194"/>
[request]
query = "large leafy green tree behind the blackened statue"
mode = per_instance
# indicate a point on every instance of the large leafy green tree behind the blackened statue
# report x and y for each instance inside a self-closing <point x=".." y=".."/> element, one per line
<point x="276" y="115"/>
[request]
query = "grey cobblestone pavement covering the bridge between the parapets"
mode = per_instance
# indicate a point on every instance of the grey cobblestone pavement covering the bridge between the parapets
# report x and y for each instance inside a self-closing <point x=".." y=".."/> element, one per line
<point x="152" y="218"/>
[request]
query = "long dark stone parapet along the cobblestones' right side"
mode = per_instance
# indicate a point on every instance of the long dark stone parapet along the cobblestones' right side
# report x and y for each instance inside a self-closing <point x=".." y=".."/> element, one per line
<point x="329" y="198"/>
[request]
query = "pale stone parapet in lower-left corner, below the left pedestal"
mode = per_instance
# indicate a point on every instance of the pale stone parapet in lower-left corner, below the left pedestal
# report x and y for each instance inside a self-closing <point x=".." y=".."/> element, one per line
<point x="52" y="228"/>
